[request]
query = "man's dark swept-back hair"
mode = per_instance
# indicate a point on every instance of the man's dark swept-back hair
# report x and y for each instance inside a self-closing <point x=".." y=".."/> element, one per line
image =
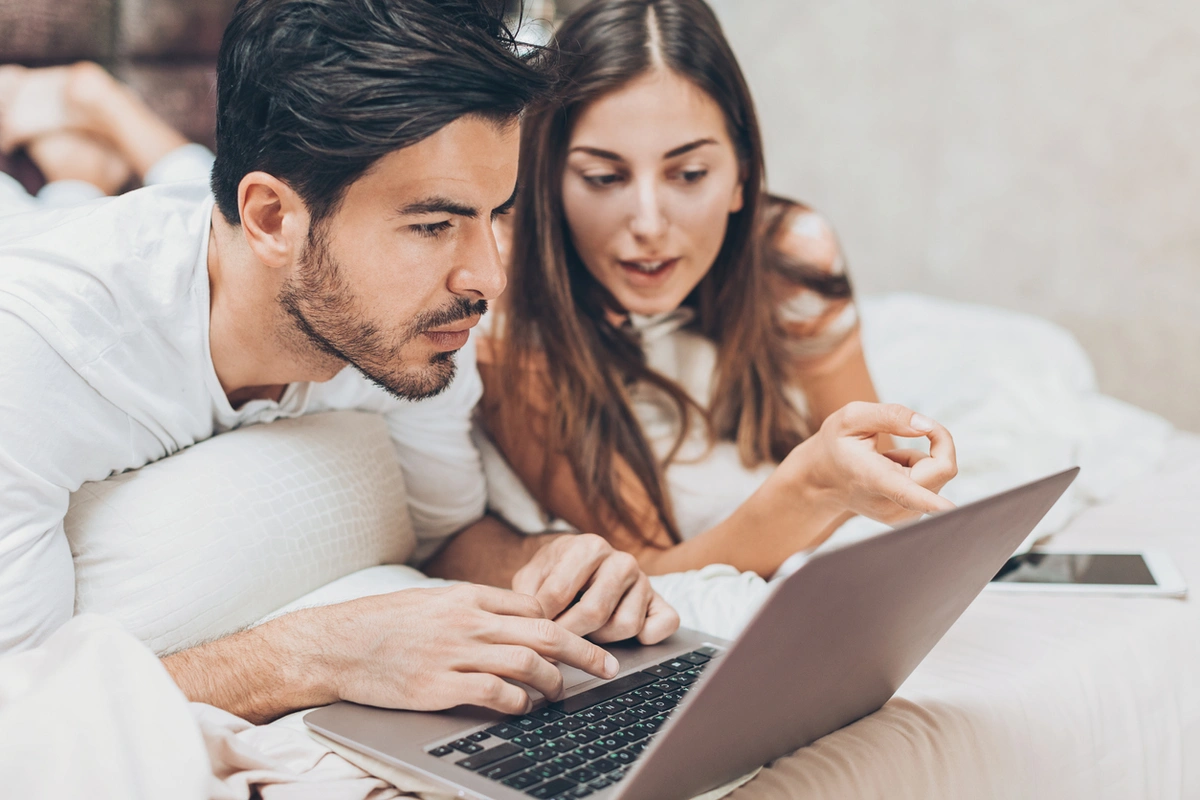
<point x="315" y="92"/>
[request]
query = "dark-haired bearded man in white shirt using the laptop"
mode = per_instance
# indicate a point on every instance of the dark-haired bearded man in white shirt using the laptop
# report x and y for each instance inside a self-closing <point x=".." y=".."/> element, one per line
<point x="364" y="149"/>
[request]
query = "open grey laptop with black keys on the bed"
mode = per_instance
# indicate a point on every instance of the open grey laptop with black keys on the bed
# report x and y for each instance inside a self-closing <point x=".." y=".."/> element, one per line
<point x="831" y="646"/>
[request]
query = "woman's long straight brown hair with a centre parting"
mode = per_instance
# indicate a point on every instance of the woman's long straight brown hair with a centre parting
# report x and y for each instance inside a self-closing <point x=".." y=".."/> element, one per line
<point x="555" y="324"/>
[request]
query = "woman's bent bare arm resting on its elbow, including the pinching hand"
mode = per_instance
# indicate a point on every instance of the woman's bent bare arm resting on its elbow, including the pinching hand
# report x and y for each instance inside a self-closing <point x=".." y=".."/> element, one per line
<point x="799" y="507"/>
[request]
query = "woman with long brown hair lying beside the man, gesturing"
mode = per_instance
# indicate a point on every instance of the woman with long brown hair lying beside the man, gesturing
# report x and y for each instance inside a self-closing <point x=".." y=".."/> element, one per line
<point x="670" y="364"/>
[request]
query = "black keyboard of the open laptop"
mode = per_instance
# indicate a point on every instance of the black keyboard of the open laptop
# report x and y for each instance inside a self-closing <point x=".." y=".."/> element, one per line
<point x="585" y="743"/>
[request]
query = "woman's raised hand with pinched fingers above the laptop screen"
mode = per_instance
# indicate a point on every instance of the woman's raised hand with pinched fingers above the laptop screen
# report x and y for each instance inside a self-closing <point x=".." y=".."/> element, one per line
<point x="842" y="471"/>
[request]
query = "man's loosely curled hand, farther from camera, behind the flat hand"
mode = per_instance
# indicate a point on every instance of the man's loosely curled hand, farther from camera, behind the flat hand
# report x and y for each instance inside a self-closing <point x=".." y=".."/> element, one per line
<point x="617" y="601"/>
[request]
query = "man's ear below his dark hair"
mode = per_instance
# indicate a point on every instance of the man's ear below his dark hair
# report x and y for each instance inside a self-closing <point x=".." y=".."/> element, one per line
<point x="274" y="220"/>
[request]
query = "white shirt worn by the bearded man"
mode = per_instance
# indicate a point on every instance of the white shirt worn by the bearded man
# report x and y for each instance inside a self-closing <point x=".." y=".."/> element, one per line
<point x="105" y="366"/>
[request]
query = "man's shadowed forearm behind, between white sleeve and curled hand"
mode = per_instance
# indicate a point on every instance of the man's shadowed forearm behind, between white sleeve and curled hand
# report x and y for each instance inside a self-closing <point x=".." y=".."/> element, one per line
<point x="488" y="552"/>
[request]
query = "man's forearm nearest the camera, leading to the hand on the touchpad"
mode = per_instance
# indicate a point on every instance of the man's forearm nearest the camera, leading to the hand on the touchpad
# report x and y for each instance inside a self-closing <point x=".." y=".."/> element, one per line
<point x="259" y="675"/>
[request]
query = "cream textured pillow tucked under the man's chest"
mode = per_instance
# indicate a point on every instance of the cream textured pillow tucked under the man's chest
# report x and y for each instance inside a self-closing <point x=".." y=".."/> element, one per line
<point x="223" y="534"/>
